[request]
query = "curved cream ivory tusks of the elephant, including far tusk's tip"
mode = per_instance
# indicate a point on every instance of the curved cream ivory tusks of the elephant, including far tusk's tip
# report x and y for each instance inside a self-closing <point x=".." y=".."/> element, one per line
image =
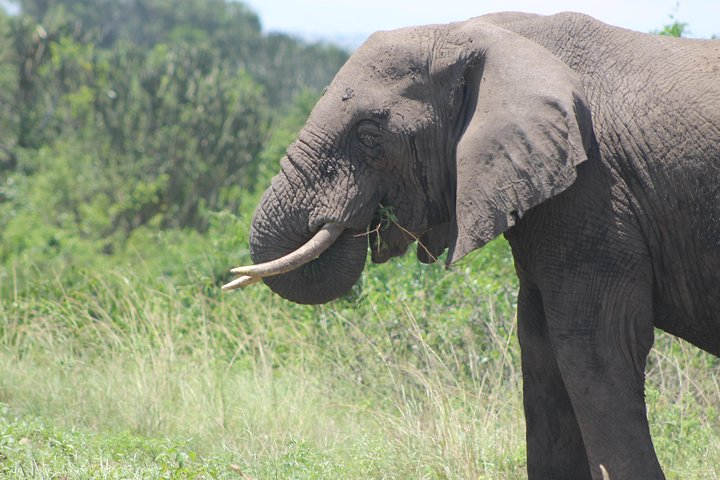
<point x="322" y="240"/>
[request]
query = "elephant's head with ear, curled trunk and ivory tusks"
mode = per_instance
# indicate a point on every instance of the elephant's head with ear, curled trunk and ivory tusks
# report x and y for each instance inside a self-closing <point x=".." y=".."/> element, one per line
<point x="451" y="132"/>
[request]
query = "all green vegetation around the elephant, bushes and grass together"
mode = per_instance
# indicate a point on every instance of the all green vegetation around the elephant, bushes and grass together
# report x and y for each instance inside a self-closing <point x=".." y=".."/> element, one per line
<point x="135" y="139"/>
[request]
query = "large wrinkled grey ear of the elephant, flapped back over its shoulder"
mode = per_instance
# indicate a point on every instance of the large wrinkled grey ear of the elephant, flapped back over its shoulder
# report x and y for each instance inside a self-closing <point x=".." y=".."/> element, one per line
<point x="524" y="125"/>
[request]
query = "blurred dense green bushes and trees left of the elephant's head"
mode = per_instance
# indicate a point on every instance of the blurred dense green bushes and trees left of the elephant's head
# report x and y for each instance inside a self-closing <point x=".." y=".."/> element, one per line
<point x="122" y="115"/>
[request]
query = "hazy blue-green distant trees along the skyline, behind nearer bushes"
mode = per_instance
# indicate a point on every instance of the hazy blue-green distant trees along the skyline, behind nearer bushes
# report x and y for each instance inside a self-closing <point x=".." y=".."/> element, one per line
<point x="283" y="65"/>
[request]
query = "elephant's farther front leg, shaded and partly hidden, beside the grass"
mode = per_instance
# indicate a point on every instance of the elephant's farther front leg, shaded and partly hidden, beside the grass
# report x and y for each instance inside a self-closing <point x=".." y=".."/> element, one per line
<point x="555" y="448"/>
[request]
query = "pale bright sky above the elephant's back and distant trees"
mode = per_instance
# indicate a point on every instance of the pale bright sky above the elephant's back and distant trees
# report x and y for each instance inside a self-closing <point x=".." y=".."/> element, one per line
<point x="350" y="21"/>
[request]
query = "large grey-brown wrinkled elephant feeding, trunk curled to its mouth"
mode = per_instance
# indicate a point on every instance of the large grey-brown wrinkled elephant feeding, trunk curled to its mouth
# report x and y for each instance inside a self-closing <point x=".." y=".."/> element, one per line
<point x="594" y="149"/>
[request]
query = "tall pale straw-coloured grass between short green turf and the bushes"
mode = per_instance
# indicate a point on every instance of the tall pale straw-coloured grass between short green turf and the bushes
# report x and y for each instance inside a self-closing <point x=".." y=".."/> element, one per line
<point x="362" y="387"/>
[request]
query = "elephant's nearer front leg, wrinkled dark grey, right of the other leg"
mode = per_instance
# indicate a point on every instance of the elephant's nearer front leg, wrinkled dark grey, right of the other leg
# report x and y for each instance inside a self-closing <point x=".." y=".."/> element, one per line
<point x="602" y="330"/>
